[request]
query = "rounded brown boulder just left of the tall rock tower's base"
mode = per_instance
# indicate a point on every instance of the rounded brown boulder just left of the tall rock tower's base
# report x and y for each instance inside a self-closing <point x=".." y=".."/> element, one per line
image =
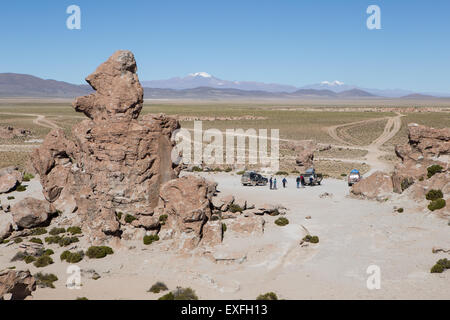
<point x="30" y="213"/>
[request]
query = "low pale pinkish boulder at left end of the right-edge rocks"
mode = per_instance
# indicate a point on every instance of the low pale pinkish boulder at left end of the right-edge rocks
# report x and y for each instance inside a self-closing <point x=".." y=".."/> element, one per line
<point x="376" y="186"/>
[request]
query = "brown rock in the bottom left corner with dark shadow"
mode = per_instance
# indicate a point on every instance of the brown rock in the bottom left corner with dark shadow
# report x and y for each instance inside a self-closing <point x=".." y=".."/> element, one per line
<point x="20" y="284"/>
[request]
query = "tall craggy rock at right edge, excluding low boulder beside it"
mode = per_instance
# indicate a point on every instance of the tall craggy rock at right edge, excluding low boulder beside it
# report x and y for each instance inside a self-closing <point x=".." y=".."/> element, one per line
<point x="426" y="146"/>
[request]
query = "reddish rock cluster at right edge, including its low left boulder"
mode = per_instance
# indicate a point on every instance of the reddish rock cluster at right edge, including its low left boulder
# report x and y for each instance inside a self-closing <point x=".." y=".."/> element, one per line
<point x="413" y="177"/>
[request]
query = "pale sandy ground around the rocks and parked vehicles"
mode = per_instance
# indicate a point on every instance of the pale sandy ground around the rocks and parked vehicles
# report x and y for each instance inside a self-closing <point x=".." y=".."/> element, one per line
<point x="354" y="234"/>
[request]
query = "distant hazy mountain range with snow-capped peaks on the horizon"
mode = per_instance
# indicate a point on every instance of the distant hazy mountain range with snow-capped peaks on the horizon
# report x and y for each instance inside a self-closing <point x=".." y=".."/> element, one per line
<point x="200" y="85"/>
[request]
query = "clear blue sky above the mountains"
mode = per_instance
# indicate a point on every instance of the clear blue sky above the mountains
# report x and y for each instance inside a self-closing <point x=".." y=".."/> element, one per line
<point x="295" y="42"/>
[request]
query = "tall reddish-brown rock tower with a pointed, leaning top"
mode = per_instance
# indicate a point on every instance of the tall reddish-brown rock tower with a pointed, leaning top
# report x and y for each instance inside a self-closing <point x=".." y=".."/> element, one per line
<point x="113" y="162"/>
